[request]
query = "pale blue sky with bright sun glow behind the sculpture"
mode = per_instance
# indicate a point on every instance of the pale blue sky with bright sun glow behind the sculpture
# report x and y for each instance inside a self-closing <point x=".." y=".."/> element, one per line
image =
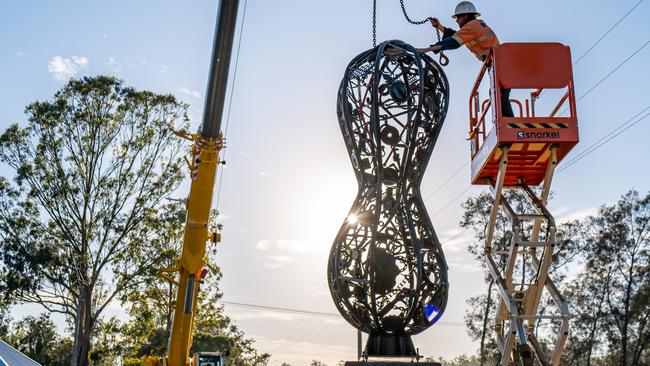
<point x="288" y="184"/>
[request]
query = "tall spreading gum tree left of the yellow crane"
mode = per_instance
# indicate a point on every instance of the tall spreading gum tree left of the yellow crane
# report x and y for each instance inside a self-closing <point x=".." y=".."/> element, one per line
<point x="81" y="224"/>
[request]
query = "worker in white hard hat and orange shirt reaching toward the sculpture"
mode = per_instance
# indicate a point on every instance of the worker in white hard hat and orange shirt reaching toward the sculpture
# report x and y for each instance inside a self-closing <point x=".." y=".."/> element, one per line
<point x="475" y="35"/>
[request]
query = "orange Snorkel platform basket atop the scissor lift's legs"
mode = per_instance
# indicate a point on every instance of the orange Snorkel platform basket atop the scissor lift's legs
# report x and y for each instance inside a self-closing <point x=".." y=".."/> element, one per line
<point x="529" y="136"/>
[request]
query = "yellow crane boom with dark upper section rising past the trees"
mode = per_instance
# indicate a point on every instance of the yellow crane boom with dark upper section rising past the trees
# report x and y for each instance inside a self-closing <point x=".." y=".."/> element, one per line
<point x="206" y="146"/>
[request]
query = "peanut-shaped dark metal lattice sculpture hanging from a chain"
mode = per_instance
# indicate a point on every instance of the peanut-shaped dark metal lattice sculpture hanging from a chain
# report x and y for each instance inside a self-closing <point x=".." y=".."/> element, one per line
<point x="387" y="273"/>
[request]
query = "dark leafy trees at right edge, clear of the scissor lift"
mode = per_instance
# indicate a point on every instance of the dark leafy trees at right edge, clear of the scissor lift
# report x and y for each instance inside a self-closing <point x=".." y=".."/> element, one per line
<point x="611" y="296"/>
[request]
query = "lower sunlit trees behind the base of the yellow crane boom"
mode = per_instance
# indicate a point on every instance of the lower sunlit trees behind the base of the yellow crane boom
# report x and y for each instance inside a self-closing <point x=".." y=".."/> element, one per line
<point x="149" y="305"/>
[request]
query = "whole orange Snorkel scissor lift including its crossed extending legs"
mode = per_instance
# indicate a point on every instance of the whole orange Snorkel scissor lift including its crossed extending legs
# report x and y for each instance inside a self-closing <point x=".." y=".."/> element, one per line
<point x="511" y="154"/>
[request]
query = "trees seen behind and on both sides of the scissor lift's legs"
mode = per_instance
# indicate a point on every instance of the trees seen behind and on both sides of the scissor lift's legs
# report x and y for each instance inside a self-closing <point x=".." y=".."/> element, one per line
<point x="610" y="295"/>
